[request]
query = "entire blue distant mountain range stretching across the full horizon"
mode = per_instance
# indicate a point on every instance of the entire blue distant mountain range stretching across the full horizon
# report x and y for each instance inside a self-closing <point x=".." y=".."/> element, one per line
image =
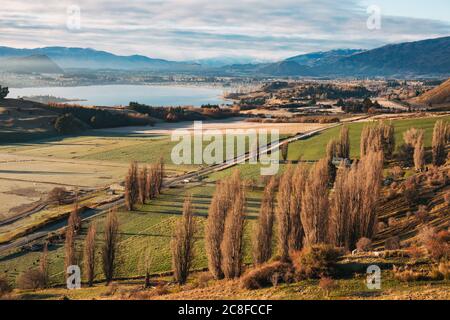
<point x="421" y="58"/>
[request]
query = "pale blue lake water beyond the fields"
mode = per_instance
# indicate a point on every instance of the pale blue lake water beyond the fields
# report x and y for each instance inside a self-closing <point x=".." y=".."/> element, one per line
<point x="115" y="95"/>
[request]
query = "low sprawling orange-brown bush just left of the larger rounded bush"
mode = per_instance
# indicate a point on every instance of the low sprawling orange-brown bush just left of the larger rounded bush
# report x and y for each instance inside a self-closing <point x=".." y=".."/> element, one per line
<point x="269" y="274"/>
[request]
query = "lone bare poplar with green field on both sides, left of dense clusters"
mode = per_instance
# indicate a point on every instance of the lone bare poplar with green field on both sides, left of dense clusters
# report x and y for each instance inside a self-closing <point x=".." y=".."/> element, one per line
<point x="183" y="242"/>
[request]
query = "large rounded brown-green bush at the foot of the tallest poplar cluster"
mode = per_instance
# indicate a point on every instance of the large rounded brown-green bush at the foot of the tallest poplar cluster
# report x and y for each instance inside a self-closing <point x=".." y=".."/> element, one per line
<point x="316" y="261"/>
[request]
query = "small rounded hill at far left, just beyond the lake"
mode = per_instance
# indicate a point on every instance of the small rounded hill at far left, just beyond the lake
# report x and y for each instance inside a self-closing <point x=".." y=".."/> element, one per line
<point x="30" y="64"/>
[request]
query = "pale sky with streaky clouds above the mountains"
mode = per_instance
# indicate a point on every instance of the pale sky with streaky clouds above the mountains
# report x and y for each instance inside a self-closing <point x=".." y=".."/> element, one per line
<point x="197" y="29"/>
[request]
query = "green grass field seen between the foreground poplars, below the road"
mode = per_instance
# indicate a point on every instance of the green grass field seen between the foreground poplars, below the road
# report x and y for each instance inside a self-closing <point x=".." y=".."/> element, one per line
<point x="151" y="226"/>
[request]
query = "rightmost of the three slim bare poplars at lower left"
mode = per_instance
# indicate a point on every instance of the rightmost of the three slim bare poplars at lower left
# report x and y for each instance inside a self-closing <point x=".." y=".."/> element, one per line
<point x="110" y="245"/>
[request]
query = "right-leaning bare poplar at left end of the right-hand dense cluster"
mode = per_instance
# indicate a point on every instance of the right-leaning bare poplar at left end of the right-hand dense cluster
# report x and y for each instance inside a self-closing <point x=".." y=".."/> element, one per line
<point x="262" y="239"/>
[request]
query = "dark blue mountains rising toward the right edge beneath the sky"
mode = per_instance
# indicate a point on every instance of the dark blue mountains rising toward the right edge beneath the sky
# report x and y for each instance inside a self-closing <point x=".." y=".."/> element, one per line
<point x="411" y="59"/>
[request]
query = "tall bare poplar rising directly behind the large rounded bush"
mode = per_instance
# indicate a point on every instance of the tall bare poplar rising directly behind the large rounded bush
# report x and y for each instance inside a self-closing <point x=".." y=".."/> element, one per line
<point x="315" y="205"/>
